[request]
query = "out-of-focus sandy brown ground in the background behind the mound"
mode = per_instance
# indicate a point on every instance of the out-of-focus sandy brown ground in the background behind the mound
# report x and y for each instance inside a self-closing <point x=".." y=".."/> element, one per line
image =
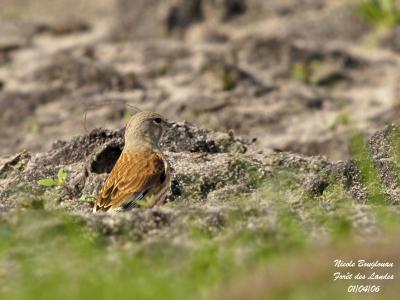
<point x="296" y="75"/>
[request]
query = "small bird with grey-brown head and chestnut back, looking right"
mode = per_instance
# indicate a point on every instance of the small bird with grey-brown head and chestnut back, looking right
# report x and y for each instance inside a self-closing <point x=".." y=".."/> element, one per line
<point x="141" y="173"/>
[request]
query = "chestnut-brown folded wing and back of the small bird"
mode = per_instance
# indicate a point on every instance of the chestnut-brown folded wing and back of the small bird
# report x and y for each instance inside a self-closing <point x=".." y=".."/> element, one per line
<point x="134" y="174"/>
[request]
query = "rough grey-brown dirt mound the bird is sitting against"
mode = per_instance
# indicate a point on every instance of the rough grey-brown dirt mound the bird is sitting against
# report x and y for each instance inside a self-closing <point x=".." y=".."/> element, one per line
<point x="212" y="174"/>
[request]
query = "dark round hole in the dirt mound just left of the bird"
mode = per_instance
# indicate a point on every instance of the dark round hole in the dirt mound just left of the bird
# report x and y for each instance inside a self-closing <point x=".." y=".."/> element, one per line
<point x="106" y="159"/>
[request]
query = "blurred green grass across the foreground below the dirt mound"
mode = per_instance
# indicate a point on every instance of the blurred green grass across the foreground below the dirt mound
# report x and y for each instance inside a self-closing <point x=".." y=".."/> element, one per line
<point x="48" y="254"/>
